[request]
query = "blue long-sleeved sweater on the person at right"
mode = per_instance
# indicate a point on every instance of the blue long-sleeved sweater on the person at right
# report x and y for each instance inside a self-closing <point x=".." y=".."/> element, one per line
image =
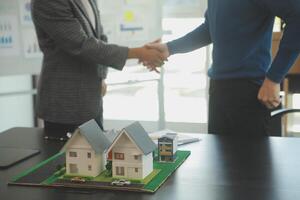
<point x="241" y="33"/>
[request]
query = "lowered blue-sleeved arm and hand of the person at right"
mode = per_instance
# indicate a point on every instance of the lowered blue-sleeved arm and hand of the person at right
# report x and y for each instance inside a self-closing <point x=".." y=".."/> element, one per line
<point x="289" y="11"/>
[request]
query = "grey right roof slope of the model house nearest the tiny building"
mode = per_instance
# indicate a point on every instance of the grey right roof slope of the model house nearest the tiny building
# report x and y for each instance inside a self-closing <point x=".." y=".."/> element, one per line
<point x="140" y="137"/>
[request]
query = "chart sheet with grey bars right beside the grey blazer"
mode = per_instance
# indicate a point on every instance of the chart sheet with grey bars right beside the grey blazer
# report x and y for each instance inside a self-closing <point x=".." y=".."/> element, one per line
<point x="31" y="46"/>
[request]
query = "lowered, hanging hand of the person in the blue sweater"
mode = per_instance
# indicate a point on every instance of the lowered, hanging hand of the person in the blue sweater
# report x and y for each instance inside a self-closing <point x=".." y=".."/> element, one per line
<point x="269" y="94"/>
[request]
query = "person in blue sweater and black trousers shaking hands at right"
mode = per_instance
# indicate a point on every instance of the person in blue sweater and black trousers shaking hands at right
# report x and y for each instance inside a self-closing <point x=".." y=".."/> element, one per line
<point x="245" y="83"/>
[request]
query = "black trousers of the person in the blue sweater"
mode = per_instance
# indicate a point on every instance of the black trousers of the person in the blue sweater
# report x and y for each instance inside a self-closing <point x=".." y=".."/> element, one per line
<point x="235" y="110"/>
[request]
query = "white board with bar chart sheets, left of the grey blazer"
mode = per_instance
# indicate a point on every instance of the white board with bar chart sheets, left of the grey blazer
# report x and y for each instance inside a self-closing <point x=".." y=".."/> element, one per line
<point x="19" y="51"/>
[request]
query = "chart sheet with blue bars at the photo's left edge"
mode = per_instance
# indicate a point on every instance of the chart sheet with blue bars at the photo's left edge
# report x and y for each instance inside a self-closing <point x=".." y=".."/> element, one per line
<point x="9" y="37"/>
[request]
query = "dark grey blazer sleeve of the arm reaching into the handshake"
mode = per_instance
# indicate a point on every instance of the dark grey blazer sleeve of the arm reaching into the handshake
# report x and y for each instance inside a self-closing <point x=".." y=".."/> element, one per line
<point x="55" y="18"/>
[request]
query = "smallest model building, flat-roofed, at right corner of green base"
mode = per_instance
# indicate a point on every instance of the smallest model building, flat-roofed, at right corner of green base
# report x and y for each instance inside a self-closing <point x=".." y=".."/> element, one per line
<point x="167" y="147"/>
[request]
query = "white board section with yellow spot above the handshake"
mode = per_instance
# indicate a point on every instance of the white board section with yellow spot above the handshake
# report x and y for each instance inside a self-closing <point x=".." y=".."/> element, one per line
<point x="131" y="22"/>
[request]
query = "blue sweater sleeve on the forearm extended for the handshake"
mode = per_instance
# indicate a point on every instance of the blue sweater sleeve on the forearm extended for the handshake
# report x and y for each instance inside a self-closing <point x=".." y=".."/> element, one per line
<point x="198" y="38"/>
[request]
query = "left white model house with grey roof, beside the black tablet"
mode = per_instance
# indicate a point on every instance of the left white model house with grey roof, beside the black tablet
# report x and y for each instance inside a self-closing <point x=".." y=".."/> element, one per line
<point x="86" y="150"/>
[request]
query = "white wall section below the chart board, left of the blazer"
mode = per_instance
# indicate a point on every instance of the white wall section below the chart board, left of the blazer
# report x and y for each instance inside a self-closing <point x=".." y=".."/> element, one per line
<point x="15" y="110"/>
